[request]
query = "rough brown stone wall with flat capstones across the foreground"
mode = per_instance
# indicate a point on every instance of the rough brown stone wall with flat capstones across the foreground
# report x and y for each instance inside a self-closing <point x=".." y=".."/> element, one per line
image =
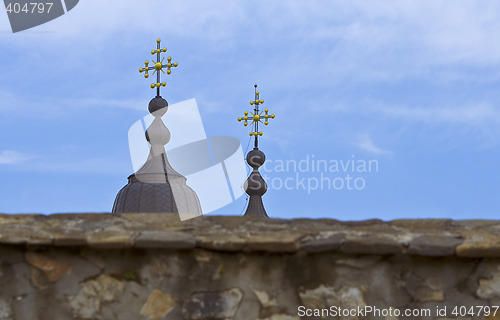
<point x="152" y="266"/>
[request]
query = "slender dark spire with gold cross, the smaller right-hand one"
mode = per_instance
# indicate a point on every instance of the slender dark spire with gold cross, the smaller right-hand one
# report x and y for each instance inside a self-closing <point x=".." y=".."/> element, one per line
<point x="255" y="186"/>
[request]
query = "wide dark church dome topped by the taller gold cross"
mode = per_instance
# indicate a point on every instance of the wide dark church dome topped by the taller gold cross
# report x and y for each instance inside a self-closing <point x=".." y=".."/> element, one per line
<point x="156" y="186"/>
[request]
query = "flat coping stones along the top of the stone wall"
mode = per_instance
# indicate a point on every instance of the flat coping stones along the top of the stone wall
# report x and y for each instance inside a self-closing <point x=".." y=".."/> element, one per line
<point x="421" y="237"/>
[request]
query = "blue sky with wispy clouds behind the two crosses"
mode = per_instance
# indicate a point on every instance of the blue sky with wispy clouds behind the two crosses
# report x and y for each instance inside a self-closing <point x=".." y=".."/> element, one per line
<point x="412" y="85"/>
